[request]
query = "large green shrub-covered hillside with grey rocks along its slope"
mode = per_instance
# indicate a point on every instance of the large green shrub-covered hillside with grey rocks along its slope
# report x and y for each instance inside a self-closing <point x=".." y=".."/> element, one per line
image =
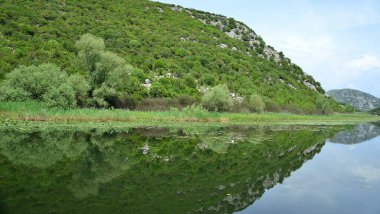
<point x="174" y="51"/>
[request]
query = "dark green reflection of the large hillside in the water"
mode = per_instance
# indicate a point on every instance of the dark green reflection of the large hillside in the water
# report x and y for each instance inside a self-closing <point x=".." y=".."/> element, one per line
<point x="150" y="170"/>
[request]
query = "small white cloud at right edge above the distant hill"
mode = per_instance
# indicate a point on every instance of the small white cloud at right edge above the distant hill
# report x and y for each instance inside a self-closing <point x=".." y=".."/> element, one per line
<point x="363" y="63"/>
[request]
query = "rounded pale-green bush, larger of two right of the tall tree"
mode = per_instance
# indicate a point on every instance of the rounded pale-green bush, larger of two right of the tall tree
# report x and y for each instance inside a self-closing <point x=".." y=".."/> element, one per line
<point x="217" y="99"/>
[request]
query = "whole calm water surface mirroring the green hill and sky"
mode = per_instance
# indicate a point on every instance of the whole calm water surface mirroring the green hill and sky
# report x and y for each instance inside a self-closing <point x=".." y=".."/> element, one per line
<point x="194" y="170"/>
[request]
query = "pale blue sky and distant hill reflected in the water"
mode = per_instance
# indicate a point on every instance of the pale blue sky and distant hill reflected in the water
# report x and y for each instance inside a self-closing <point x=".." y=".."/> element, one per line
<point x="343" y="178"/>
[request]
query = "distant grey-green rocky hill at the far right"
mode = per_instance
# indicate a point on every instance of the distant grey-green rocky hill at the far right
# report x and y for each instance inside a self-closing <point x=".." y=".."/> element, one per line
<point x="359" y="100"/>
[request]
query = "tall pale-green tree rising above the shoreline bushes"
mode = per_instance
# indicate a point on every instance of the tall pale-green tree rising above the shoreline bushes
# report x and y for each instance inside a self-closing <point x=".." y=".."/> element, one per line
<point x="110" y="75"/>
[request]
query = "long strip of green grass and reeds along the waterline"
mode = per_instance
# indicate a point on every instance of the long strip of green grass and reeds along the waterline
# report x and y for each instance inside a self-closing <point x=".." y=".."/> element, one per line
<point x="37" y="113"/>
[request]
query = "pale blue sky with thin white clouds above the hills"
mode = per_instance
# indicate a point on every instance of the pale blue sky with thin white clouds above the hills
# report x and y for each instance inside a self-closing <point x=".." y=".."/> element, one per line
<point x="335" y="41"/>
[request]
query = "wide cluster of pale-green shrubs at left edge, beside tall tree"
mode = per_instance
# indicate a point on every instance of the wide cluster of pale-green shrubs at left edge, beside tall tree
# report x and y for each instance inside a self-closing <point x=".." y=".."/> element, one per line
<point x="45" y="82"/>
